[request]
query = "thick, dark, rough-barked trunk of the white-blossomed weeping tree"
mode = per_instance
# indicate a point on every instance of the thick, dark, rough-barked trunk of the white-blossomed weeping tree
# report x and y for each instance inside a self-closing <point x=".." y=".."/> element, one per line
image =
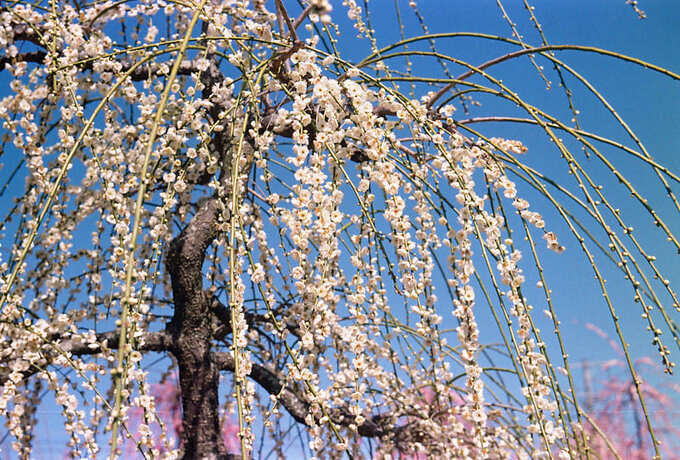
<point x="191" y="331"/>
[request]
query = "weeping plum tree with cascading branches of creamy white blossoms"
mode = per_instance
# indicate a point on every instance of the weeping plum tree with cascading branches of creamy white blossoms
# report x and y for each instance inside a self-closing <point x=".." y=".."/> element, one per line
<point x="328" y="247"/>
